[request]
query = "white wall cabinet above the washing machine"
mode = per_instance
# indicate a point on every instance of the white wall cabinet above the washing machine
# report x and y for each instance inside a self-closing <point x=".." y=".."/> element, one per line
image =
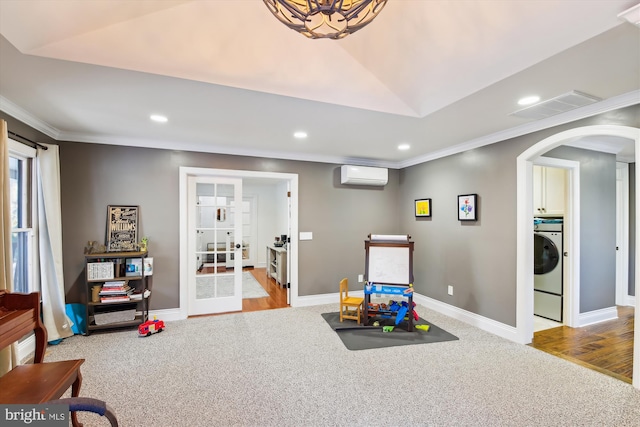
<point x="548" y="191"/>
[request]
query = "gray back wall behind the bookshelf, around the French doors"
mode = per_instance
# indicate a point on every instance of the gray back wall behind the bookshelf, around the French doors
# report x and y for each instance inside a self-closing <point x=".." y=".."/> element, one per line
<point x="94" y="176"/>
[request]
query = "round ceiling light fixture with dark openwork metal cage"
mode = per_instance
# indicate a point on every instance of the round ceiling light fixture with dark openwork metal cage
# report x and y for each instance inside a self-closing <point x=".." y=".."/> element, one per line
<point x="318" y="19"/>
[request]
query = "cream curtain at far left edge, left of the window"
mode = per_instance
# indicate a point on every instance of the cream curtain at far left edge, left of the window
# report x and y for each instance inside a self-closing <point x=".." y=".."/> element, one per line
<point x="7" y="355"/>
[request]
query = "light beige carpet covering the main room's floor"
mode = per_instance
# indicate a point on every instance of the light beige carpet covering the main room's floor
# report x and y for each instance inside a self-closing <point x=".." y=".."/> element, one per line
<point x="287" y="367"/>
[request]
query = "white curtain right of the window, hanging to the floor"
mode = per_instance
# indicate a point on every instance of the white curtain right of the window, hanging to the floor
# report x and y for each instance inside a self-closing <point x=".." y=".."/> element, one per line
<point x="50" y="244"/>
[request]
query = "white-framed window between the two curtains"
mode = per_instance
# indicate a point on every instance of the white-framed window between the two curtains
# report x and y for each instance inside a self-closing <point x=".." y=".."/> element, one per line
<point x="22" y="192"/>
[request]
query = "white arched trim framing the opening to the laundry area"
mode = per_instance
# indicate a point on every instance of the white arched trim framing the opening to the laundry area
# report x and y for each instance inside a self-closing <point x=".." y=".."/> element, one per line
<point x="524" y="232"/>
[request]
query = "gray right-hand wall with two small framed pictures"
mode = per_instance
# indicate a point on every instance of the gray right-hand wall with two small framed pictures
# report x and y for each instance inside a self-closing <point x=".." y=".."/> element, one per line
<point x="478" y="259"/>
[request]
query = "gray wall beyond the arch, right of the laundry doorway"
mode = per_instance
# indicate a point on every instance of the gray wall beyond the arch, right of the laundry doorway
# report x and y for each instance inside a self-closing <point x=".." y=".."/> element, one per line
<point x="597" y="226"/>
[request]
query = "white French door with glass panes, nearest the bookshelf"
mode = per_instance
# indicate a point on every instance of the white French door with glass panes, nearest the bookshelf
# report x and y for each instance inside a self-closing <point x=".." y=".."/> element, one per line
<point x="214" y="265"/>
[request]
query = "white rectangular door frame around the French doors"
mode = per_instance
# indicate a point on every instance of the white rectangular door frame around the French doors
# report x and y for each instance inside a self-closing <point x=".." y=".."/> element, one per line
<point x="185" y="173"/>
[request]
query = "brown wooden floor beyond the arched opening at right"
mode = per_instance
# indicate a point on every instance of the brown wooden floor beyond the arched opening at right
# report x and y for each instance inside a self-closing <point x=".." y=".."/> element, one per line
<point x="606" y="347"/>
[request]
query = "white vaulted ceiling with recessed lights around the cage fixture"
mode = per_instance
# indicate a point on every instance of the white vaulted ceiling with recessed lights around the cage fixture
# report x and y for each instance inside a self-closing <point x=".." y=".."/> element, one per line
<point x="441" y="76"/>
